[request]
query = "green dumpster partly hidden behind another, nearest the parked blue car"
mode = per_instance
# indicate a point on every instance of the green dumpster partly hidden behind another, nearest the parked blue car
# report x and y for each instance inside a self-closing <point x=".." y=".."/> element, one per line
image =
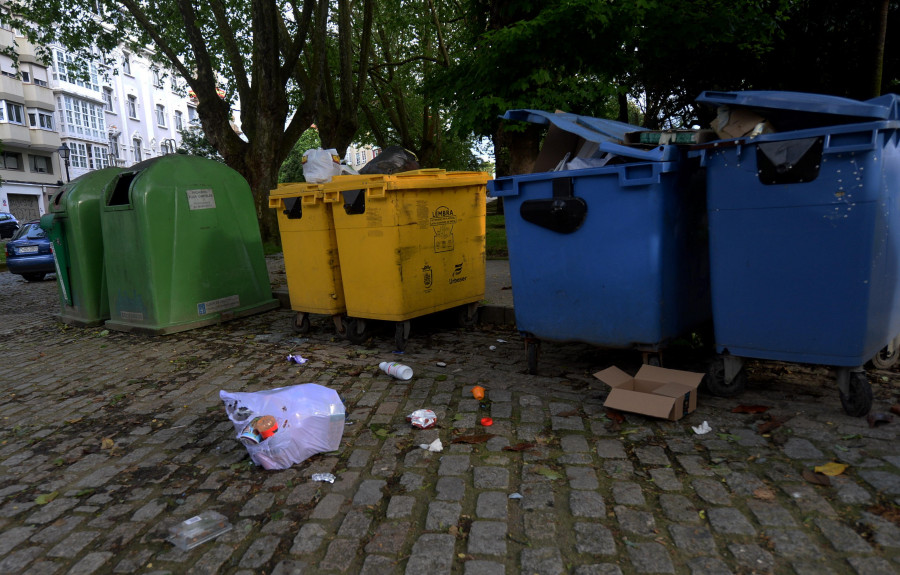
<point x="73" y="226"/>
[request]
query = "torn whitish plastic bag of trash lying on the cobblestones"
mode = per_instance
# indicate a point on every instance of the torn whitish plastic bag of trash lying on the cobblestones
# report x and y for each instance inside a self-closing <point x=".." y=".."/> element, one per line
<point x="287" y="425"/>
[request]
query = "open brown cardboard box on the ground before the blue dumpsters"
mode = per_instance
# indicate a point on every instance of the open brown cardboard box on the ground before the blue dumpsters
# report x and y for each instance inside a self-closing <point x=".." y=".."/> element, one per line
<point x="654" y="391"/>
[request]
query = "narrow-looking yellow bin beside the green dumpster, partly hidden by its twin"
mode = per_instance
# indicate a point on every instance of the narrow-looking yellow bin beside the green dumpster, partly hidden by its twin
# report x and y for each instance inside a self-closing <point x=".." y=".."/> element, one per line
<point x="310" y="249"/>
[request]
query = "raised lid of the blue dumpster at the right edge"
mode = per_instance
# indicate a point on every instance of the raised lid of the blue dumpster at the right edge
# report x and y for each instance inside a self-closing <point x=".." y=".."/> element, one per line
<point x="799" y="110"/>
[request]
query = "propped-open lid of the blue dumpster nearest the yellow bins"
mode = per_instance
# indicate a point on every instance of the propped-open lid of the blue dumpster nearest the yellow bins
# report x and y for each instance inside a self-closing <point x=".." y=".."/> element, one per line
<point x="607" y="134"/>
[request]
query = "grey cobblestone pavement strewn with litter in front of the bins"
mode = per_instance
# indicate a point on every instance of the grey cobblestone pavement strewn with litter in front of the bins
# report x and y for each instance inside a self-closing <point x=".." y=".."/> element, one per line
<point x="111" y="438"/>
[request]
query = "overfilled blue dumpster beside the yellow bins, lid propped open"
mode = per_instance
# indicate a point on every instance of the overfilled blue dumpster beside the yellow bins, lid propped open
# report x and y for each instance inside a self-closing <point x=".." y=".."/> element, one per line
<point x="615" y="255"/>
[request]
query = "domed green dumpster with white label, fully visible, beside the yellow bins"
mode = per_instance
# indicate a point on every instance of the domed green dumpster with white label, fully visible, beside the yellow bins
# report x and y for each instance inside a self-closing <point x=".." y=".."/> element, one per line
<point x="182" y="247"/>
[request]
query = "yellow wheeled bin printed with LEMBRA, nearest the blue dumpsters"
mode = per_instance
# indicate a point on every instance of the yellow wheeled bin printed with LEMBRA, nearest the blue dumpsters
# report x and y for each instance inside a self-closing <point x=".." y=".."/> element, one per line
<point x="410" y="244"/>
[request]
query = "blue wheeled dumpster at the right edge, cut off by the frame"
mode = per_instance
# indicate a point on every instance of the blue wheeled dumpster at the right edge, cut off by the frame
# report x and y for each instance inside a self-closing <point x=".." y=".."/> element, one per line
<point x="804" y="242"/>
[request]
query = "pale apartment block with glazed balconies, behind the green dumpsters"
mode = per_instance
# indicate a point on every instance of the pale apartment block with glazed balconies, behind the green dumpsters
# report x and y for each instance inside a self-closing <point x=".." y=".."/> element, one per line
<point x="107" y="116"/>
